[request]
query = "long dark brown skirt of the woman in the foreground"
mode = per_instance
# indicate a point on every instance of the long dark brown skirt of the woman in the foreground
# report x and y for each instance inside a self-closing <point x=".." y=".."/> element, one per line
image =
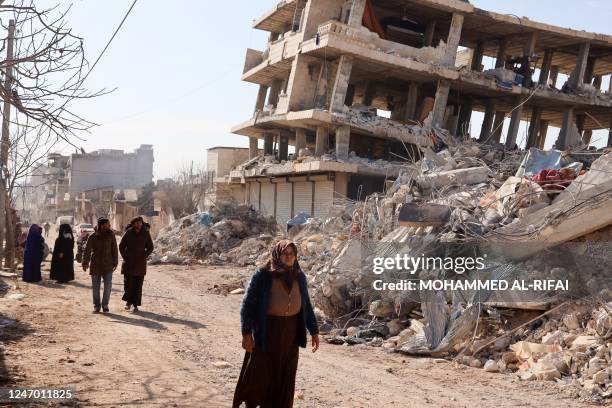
<point x="267" y="378"/>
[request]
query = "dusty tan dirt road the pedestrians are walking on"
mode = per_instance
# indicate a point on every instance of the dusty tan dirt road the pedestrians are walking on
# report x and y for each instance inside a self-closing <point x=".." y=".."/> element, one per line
<point x="183" y="349"/>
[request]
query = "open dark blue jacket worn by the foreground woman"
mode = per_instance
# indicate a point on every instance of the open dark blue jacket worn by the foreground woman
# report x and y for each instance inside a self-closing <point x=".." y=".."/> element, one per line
<point x="253" y="312"/>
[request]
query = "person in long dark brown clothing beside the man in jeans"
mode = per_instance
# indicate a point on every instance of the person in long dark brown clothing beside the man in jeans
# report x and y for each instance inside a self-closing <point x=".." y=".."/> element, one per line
<point x="135" y="247"/>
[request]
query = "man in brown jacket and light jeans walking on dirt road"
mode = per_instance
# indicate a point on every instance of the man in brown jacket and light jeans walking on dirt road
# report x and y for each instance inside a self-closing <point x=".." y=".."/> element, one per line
<point x="102" y="256"/>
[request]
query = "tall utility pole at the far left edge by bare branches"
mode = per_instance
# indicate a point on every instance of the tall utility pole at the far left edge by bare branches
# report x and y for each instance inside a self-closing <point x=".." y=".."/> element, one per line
<point x="6" y="223"/>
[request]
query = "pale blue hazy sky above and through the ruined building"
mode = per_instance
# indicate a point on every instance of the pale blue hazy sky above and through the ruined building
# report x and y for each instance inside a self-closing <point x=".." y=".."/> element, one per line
<point x="176" y="68"/>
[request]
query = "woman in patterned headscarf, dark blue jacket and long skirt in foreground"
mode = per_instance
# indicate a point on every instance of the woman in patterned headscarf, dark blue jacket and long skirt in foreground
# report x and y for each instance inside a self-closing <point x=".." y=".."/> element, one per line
<point x="275" y="313"/>
